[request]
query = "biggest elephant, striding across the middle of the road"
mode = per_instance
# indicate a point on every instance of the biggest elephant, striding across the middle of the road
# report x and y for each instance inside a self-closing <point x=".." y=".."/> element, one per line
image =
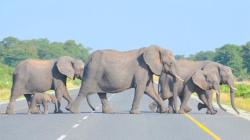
<point x="113" y="71"/>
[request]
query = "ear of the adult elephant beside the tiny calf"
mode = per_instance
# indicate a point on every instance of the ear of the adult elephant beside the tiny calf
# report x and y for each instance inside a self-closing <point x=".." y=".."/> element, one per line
<point x="64" y="65"/>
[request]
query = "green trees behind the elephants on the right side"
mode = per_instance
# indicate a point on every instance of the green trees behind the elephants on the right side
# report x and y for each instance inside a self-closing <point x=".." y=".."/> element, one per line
<point x="235" y="56"/>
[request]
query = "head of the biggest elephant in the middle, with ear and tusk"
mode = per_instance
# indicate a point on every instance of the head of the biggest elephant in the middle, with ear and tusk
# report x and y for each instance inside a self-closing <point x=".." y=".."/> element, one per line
<point x="160" y="60"/>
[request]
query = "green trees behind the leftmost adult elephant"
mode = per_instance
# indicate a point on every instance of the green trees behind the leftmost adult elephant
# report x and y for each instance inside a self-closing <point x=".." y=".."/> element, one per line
<point x="13" y="50"/>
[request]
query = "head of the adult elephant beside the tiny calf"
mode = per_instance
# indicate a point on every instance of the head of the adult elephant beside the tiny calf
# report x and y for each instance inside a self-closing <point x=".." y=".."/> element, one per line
<point x="70" y="67"/>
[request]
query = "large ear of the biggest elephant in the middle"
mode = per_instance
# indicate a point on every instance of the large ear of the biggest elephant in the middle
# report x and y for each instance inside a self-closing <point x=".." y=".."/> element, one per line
<point x="152" y="58"/>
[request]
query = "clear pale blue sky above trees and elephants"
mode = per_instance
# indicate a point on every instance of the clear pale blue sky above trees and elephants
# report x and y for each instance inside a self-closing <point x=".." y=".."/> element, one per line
<point x="183" y="26"/>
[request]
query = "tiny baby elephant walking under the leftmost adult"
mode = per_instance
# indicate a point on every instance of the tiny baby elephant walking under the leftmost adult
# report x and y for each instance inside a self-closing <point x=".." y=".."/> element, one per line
<point x="42" y="99"/>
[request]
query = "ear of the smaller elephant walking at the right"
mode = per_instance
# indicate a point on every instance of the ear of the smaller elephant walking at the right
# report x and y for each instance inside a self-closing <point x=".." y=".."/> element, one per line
<point x="200" y="80"/>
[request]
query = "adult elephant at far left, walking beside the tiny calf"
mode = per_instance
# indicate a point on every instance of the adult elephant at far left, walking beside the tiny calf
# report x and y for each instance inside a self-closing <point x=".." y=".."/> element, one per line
<point x="32" y="76"/>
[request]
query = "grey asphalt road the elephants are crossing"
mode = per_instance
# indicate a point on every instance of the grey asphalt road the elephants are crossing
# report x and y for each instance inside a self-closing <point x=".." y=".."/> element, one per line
<point x="121" y="125"/>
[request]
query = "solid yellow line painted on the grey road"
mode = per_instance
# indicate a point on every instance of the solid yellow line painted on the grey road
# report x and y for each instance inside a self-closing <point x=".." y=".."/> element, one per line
<point x="202" y="127"/>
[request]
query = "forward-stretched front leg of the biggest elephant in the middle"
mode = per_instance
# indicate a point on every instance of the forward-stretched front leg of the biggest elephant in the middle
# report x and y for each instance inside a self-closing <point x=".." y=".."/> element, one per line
<point x="156" y="97"/>
